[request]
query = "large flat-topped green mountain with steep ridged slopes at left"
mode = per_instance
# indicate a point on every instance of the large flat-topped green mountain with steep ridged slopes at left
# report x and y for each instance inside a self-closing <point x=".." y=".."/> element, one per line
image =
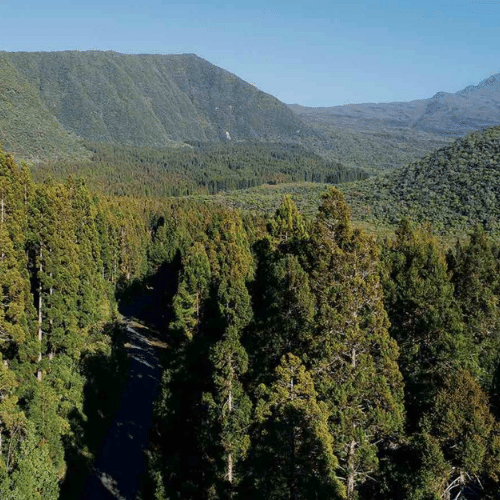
<point x="146" y="100"/>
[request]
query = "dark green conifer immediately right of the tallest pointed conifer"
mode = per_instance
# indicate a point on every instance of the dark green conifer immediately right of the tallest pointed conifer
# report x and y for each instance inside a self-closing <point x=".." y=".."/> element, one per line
<point x="425" y="318"/>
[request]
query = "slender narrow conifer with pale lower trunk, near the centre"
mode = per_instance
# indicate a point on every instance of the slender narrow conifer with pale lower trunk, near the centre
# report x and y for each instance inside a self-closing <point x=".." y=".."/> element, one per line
<point x="230" y="407"/>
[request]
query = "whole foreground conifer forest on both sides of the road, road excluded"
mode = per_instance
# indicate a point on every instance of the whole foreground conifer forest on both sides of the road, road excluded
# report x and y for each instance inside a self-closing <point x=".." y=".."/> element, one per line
<point x="305" y="359"/>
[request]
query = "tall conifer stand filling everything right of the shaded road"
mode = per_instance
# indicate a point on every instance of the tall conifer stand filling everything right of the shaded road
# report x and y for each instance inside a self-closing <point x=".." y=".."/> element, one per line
<point x="306" y="362"/>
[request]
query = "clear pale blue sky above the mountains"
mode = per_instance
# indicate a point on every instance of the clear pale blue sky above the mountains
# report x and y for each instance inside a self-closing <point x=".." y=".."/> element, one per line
<point x="314" y="53"/>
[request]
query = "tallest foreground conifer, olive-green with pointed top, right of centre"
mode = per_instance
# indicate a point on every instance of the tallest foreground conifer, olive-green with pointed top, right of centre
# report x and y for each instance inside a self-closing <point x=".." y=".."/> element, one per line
<point x="353" y="358"/>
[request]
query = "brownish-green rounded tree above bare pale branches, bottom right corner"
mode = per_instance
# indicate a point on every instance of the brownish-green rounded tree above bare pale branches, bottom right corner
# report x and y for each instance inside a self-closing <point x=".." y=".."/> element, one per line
<point x="459" y="443"/>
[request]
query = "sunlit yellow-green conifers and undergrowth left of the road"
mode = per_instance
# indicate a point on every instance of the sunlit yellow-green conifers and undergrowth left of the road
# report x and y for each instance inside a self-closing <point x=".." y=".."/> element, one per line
<point x="56" y="258"/>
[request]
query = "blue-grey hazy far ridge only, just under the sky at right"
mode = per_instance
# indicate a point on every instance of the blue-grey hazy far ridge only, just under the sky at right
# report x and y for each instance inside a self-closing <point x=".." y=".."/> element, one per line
<point x="448" y="114"/>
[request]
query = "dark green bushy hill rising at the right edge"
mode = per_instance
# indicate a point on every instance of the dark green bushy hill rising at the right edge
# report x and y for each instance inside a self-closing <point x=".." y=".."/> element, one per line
<point x="454" y="187"/>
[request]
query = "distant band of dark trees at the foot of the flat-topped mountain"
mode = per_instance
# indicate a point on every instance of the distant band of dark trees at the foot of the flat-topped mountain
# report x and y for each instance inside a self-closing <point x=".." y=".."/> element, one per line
<point x="198" y="168"/>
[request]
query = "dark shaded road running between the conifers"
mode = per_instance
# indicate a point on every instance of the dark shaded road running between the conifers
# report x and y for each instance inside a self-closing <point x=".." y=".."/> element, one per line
<point x="121" y="461"/>
